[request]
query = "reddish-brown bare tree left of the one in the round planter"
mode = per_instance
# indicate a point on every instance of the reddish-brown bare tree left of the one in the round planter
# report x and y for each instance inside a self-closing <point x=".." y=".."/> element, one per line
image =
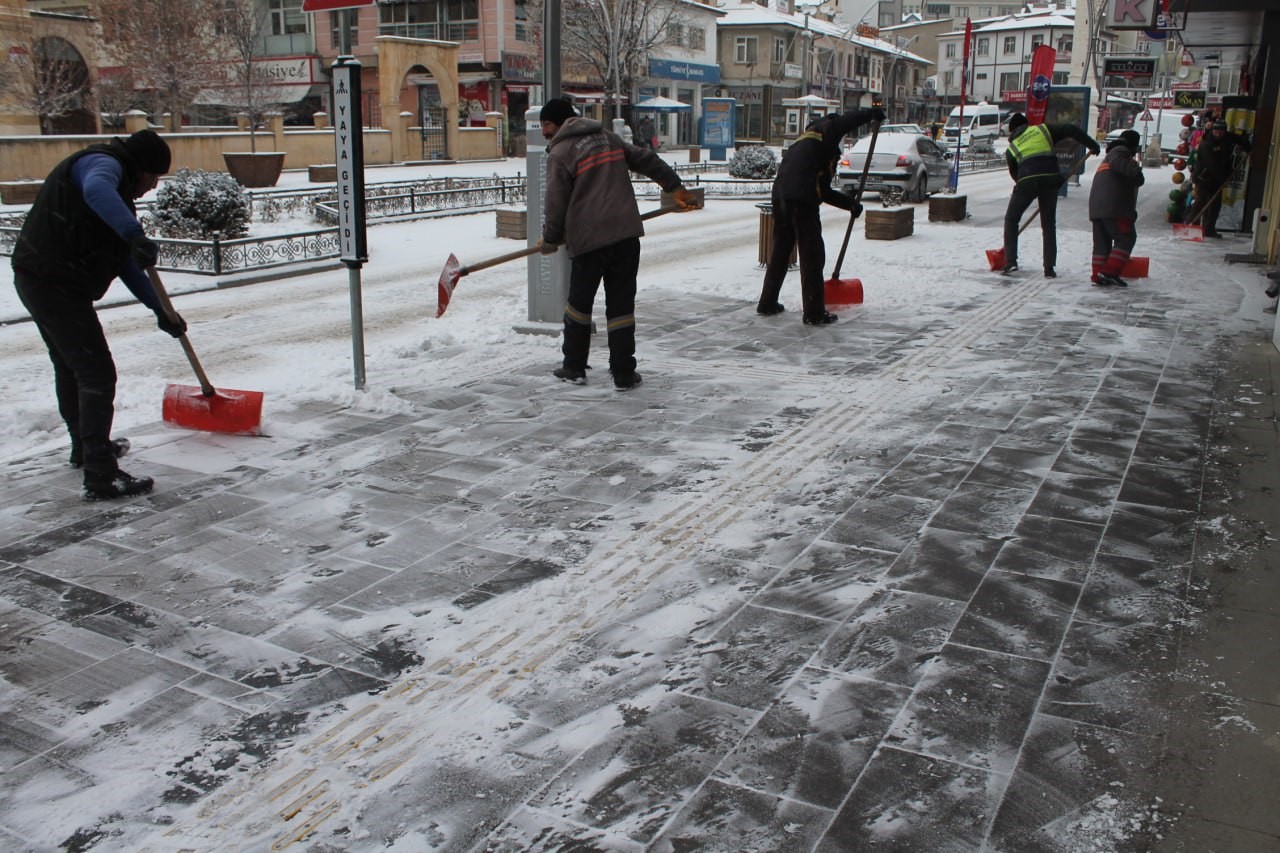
<point x="168" y="44"/>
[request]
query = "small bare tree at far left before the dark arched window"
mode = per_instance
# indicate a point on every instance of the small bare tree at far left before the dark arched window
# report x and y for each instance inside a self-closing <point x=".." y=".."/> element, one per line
<point x="49" y="80"/>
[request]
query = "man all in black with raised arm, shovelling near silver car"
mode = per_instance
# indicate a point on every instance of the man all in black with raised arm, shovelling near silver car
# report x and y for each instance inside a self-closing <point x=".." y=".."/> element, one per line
<point x="802" y="185"/>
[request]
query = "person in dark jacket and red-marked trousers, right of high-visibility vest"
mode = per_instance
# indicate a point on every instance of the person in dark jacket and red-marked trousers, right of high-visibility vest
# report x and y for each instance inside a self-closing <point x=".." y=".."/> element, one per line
<point x="1114" y="209"/>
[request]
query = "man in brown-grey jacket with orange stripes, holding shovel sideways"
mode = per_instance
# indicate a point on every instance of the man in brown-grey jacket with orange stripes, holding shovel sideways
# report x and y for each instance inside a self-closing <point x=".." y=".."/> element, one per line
<point x="592" y="209"/>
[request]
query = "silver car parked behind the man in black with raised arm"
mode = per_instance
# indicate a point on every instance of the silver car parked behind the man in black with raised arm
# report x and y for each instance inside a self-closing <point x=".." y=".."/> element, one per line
<point x="906" y="165"/>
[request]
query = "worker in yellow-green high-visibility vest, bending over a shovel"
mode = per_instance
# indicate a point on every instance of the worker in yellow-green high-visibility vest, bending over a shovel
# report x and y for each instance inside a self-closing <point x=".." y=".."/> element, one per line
<point x="1034" y="167"/>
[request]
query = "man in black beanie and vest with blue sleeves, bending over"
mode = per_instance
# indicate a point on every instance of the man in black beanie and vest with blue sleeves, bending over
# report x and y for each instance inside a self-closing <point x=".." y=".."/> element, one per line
<point x="81" y="234"/>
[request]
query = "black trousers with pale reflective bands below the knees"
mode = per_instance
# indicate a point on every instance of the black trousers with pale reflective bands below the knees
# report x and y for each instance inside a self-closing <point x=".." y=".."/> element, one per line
<point x="618" y="266"/>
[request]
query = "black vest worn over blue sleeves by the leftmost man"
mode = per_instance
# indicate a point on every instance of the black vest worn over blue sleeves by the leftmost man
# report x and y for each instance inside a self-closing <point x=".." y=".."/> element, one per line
<point x="65" y="241"/>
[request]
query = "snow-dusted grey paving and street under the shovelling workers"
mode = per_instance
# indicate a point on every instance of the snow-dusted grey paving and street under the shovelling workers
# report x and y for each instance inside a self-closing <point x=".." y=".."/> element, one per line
<point x="922" y="581"/>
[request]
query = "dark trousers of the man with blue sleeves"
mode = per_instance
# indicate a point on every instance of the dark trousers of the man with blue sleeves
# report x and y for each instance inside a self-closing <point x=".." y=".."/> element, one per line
<point x="84" y="370"/>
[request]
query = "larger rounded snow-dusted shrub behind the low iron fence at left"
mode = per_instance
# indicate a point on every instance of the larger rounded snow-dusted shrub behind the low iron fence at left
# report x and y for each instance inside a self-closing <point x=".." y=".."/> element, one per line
<point x="196" y="204"/>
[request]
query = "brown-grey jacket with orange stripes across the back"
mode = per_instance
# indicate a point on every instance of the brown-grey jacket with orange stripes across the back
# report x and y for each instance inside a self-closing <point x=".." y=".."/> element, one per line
<point x="591" y="203"/>
